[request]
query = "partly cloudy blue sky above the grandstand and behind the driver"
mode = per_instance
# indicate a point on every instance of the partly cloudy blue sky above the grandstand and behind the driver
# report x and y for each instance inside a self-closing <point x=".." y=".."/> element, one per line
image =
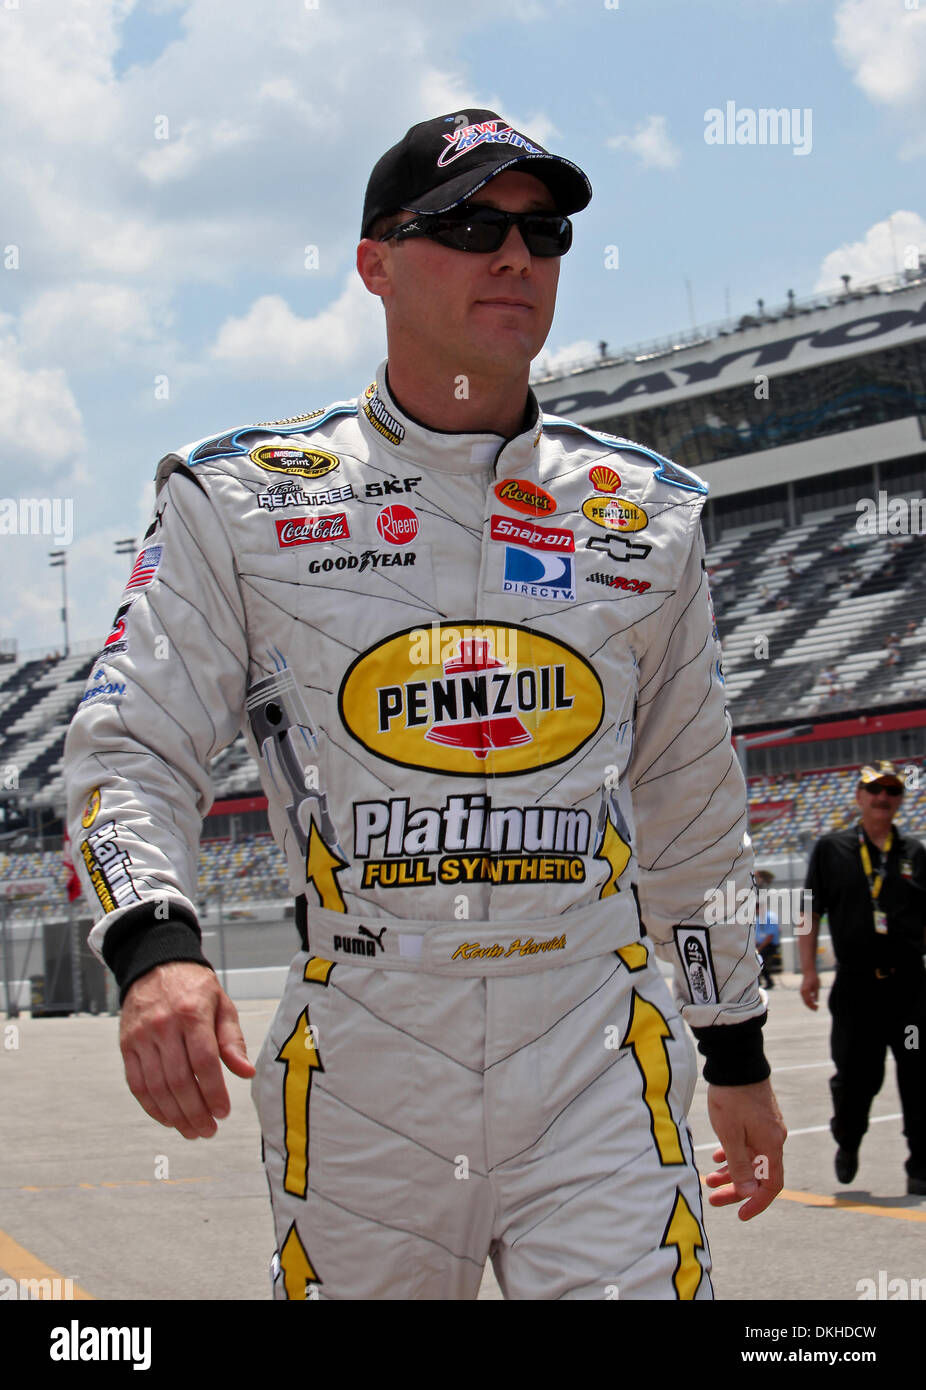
<point x="166" y="165"/>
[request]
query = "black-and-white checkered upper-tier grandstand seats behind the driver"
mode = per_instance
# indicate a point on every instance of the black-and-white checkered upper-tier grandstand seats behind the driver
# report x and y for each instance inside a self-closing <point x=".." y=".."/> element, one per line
<point x="804" y="615"/>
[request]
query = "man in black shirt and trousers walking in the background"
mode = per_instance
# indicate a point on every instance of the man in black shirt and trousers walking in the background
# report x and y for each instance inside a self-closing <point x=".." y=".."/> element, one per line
<point x="871" y="882"/>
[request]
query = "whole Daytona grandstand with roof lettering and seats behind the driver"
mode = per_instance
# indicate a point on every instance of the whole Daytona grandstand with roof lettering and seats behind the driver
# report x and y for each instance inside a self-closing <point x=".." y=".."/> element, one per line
<point x="809" y="422"/>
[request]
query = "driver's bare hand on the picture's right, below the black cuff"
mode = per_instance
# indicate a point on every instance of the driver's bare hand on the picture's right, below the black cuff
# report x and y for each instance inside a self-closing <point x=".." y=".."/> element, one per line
<point x="749" y="1124"/>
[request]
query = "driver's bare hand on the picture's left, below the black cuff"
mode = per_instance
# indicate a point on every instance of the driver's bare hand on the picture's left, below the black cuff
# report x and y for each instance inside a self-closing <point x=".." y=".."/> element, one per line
<point x="177" y="1028"/>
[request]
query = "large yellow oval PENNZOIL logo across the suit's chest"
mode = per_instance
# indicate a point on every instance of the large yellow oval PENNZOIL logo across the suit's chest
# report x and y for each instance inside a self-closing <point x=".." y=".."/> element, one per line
<point x="471" y="700"/>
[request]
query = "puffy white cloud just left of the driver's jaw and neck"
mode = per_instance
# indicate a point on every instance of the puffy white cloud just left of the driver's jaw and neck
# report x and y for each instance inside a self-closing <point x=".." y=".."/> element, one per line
<point x="272" y="337"/>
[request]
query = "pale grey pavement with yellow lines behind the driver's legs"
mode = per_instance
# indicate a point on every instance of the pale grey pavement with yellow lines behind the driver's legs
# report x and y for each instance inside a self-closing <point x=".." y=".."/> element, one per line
<point x="95" y="1193"/>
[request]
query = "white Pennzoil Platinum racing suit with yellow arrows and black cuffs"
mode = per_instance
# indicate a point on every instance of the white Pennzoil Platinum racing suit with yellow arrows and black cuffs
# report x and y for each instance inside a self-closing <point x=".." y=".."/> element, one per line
<point x="482" y="682"/>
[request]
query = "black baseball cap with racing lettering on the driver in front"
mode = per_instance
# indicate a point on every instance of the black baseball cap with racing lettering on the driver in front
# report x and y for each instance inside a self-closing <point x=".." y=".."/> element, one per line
<point x="439" y="163"/>
